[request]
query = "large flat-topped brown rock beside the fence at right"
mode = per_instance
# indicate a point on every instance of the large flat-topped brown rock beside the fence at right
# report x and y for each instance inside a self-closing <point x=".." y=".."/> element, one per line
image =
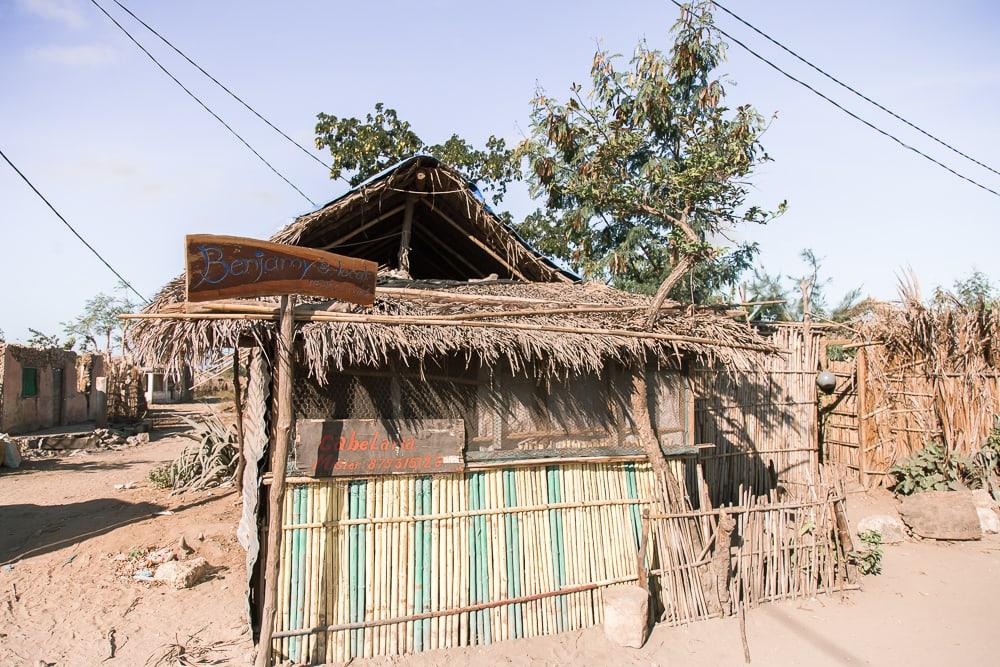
<point x="942" y="515"/>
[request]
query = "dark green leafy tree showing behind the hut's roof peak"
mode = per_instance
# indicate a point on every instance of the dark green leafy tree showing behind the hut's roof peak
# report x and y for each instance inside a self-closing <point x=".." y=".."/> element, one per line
<point x="366" y="147"/>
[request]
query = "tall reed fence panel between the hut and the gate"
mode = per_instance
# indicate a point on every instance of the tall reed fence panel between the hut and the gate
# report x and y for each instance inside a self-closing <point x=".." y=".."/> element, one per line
<point x="762" y="423"/>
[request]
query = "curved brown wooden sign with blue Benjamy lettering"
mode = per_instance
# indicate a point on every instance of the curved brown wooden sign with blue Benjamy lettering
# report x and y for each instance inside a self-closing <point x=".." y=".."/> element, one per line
<point x="231" y="266"/>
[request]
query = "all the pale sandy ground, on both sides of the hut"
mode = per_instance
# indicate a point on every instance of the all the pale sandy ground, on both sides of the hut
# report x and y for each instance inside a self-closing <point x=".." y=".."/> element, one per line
<point x="67" y="533"/>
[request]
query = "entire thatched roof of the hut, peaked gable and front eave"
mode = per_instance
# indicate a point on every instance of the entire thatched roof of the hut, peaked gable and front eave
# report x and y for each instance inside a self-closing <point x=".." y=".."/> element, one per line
<point x="581" y="326"/>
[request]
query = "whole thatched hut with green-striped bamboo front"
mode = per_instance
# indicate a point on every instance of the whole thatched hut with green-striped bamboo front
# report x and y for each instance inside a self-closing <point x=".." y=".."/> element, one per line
<point x="499" y="427"/>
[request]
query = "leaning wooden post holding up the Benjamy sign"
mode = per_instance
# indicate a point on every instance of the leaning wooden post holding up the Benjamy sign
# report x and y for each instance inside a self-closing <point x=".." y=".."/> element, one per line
<point x="279" y="461"/>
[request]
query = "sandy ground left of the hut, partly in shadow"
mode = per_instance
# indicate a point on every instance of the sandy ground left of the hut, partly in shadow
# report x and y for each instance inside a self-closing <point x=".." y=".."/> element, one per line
<point x="65" y="590"/>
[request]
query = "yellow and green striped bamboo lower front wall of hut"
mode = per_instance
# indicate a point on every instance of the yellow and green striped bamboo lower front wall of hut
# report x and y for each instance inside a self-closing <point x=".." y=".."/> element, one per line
<point x="391" y="548"/>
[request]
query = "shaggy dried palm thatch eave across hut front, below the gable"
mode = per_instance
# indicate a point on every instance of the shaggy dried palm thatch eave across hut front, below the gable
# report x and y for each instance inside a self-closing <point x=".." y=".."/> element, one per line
<point x="557" y="329"/>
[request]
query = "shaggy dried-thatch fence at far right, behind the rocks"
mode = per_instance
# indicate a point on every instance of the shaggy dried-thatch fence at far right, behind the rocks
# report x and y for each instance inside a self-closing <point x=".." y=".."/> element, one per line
<point x="931" y="374"/>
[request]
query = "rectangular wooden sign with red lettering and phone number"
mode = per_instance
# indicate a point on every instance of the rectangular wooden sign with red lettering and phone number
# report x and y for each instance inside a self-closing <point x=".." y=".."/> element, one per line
<point x="362" y="447"/>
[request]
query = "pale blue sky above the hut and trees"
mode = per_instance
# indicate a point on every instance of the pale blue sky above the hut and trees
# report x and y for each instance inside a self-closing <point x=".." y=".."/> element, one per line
<point x="134" y="164"/>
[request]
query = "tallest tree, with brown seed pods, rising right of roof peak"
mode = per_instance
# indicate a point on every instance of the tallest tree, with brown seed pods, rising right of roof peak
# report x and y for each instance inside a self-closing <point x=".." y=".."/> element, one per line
<point x="643" y="172"/>
